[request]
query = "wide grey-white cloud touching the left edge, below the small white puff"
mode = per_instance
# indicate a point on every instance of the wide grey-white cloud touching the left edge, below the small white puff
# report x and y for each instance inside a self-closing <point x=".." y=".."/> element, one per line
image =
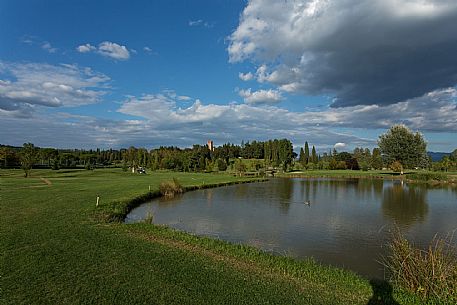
<point x="36" y="84"/>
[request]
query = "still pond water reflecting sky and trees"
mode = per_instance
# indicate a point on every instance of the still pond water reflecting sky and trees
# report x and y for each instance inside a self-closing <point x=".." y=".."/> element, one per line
<point x="347" y="222"/>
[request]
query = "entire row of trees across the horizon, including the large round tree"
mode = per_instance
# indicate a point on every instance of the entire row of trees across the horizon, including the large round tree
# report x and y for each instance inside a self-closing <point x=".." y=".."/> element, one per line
<point x="398" y="146"/>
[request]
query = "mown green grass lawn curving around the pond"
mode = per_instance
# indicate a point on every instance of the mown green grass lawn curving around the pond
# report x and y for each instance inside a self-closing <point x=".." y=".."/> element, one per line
<point x="54" y="251"/>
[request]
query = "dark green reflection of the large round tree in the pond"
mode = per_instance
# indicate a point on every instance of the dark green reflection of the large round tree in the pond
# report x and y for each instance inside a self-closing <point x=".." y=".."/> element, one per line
<point x="405" y="204"/>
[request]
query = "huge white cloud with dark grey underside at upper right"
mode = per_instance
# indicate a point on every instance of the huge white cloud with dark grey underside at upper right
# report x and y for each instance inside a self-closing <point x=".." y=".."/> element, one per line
<point x="370" y="52"/>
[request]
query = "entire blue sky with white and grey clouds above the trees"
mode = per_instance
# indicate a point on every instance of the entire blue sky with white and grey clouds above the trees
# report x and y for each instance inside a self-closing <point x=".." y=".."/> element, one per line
<point x="112" y="74"/>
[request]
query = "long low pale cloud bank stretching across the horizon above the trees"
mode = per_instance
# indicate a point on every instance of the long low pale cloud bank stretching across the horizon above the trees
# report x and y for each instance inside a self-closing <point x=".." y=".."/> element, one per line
<point x="162" y="119"/>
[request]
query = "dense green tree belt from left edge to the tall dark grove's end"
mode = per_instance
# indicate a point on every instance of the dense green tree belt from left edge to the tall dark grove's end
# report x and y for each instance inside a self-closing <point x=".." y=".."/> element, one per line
<point x="276" y="153"/>
